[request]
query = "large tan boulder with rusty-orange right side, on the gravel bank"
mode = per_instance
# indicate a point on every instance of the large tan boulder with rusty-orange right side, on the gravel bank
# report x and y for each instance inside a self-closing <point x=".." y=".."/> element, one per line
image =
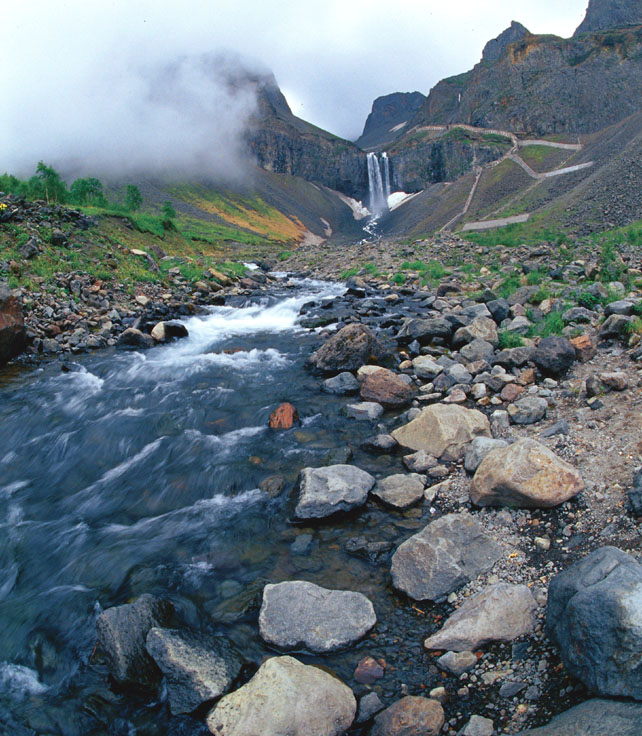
<point x="525" y="474"/>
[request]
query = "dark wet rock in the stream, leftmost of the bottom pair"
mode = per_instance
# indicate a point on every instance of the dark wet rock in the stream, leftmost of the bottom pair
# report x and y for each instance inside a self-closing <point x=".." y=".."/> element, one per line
<point x="122" y="631"/>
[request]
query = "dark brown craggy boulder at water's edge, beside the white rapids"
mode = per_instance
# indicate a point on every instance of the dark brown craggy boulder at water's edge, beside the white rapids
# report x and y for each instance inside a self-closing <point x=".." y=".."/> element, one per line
<point x="348" y="349"/>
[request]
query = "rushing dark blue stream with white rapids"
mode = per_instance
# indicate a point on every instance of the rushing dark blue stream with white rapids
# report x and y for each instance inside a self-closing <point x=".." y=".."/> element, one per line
<point x="139" y="472"/>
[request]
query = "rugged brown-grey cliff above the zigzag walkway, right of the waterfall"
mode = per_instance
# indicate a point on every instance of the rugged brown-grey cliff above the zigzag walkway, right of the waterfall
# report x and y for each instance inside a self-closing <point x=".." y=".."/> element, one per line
<point x="544" y="85"/>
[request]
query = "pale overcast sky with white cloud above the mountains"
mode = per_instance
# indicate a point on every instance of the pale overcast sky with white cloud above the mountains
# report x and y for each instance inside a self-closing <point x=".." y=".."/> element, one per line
<point x="73" y="68"/>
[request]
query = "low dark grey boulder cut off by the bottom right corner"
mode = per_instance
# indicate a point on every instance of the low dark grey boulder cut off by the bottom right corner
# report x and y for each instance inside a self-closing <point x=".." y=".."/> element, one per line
<point x="594" y="718"/>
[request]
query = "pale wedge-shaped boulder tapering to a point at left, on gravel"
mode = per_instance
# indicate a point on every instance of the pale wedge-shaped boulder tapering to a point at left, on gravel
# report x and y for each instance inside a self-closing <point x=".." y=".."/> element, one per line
<point x="501" y="612"/>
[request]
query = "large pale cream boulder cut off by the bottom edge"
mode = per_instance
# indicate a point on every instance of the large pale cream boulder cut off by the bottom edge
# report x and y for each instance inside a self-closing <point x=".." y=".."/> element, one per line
<point x="285" y="697"/>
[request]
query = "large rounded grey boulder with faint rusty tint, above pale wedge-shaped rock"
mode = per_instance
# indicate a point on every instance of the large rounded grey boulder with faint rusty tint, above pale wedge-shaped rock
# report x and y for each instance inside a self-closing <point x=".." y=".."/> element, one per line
<point x="442" y="557"/>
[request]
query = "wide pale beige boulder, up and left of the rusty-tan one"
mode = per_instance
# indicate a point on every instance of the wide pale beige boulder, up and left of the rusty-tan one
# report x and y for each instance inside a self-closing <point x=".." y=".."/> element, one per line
<point x="444" y="431"/>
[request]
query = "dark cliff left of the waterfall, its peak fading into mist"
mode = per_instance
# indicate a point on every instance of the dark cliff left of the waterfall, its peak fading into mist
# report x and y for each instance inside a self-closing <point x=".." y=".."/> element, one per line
<point x="282" y="143"/>
